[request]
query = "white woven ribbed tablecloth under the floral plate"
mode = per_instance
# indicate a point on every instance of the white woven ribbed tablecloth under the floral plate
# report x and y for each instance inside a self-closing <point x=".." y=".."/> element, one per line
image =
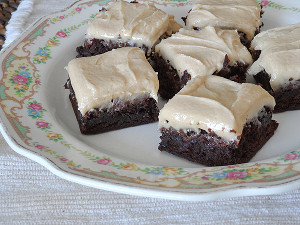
<point x="30" y="194"/>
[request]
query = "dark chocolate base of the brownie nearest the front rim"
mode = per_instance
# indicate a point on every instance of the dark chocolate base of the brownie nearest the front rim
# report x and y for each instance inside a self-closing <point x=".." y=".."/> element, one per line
<point x="209" y="149"/>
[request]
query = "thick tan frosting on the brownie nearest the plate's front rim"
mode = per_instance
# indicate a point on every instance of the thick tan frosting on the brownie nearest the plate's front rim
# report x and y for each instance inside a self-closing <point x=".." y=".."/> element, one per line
<point x="202" y="104"/>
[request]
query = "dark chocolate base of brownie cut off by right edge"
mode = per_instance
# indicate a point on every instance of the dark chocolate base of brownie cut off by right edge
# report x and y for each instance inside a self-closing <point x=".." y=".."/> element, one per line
<point x="287" y="97"/>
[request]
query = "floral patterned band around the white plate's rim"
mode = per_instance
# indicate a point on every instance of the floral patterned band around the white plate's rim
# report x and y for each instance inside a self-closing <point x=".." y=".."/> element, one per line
<point x="29" y="120"/>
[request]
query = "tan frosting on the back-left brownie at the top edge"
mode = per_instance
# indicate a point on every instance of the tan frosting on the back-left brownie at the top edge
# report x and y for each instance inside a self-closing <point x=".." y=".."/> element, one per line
<point x="142" y="24"/>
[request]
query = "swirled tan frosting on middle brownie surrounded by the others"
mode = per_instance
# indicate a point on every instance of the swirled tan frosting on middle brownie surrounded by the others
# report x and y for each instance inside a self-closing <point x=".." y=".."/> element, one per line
<point x="202" y="52"/>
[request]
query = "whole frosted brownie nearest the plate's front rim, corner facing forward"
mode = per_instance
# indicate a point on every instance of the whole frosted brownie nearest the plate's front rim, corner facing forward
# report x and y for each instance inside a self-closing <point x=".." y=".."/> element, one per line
<point x="214" y="121"/>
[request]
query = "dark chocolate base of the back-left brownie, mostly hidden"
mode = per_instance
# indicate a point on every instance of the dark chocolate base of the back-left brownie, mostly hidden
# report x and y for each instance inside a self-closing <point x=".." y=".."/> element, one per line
<point x="96" y="46"/>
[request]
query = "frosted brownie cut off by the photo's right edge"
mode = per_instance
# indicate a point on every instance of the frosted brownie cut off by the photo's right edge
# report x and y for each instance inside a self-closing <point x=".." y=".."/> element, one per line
<point x="277" y="67"/>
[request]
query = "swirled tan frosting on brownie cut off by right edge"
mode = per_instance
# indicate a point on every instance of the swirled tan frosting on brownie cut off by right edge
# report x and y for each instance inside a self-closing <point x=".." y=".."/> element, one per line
<point x="280" y="54"/>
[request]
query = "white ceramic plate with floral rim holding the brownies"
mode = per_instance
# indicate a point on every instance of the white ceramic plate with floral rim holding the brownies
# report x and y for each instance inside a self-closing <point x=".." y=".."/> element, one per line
<point x="37" y="121"/>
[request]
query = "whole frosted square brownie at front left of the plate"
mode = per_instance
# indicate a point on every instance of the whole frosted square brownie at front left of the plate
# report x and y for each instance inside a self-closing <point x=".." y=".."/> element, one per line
<point x="113" y="90"/>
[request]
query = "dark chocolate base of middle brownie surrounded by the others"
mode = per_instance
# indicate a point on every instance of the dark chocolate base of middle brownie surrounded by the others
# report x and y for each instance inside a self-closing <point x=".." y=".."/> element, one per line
<point x="170" y="83"/>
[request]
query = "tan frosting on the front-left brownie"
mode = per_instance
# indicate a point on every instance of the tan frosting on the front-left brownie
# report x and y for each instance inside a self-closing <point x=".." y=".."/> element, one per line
<point x="122" y="73"/>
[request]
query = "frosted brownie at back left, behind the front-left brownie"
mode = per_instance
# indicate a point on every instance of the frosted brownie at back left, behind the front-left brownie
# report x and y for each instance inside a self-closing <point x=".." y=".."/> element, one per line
<point x="124" y="24"/>
